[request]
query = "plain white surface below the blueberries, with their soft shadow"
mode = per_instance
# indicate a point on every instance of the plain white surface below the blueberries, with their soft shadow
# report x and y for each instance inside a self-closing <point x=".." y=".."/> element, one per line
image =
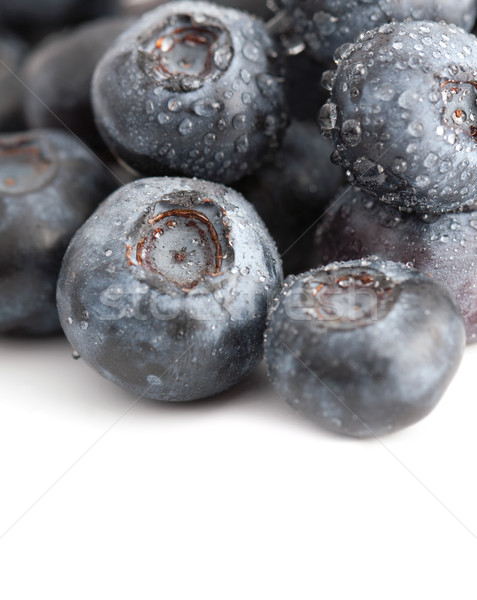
<point x="232" y="498"/>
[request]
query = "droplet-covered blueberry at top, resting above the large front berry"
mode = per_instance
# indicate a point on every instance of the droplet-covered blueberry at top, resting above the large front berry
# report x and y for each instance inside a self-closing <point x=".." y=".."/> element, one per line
<point x="217" y="118"/>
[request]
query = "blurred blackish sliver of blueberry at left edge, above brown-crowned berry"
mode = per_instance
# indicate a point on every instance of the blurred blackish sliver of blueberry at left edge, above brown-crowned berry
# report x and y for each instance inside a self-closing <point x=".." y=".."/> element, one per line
<point x="12" y="52"/>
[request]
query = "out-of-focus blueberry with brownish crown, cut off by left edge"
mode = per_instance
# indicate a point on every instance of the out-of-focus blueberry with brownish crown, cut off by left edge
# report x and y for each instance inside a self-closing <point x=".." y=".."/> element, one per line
<point x="49" y="185"/>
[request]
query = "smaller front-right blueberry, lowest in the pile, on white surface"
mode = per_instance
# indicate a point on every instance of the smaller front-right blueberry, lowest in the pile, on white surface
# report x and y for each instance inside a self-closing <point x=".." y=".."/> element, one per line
<point x="365" y="347"/>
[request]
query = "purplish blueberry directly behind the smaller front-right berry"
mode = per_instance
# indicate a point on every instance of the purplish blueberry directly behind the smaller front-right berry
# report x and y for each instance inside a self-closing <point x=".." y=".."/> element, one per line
<point x="445" y="246"/>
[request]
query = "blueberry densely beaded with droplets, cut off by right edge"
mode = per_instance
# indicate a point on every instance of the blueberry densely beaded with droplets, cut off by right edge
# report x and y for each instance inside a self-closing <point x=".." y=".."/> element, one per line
<point x="402" y="115"/>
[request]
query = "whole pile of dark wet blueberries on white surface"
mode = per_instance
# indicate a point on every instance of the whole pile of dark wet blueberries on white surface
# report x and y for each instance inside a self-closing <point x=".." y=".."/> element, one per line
<point x="162" y="165"/>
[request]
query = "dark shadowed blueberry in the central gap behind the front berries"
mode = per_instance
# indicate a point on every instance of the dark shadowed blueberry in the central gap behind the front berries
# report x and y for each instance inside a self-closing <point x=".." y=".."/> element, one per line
<point x="292" y="192"/>
